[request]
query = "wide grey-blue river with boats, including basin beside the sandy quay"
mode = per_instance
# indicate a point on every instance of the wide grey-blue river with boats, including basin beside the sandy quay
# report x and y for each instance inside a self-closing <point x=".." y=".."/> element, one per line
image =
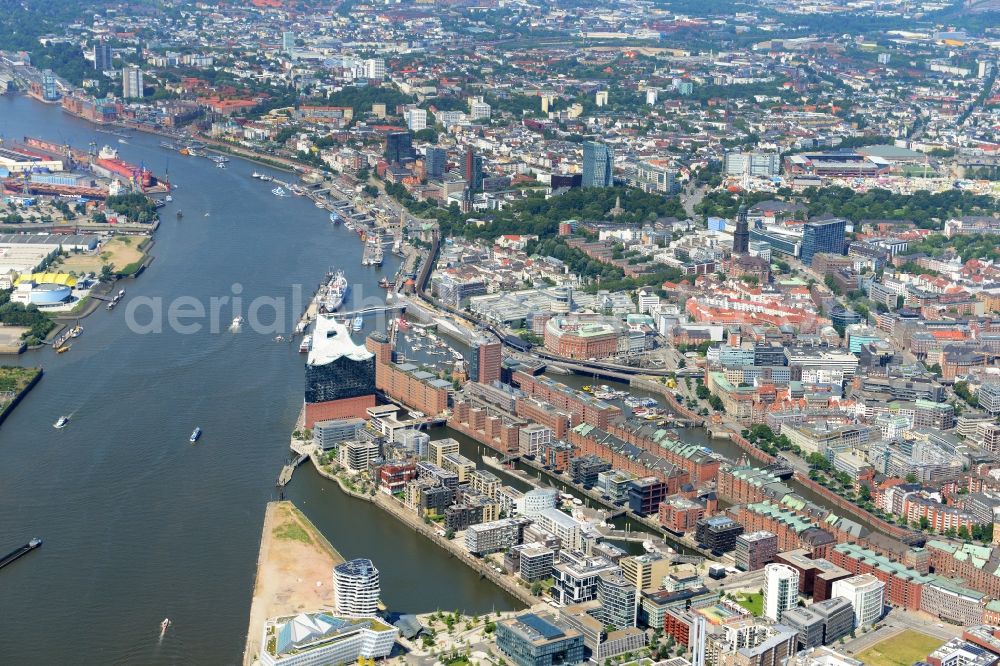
<point x="138" y="523"/>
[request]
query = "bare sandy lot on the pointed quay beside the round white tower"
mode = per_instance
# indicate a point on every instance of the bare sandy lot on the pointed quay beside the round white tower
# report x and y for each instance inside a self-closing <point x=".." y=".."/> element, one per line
<point x="294" y="571"/>
